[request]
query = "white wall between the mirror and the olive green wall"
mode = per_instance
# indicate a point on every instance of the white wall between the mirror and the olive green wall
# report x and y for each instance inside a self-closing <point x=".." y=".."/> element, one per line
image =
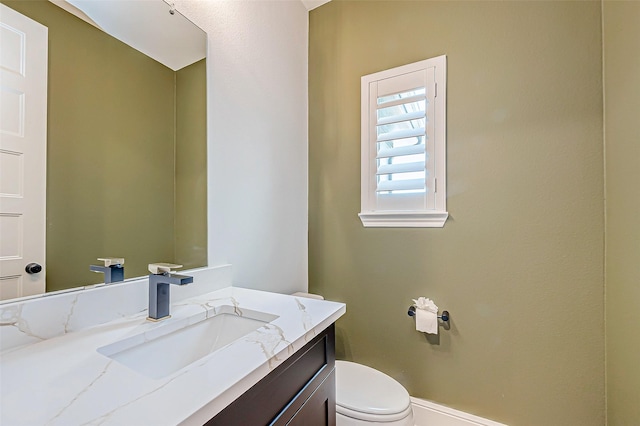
<point x="257" y="141"/>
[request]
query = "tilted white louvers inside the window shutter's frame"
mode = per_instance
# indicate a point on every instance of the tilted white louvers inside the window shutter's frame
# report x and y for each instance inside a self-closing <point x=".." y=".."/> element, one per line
<point x="400" y="142"/>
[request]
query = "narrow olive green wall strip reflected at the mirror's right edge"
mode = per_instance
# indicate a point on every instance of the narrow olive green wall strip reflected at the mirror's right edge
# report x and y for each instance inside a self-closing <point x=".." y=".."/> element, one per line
<point x="191" y="165"/>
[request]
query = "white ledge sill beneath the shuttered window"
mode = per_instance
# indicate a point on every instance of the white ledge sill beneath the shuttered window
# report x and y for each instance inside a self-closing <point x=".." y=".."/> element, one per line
<point x="422" y="219"/>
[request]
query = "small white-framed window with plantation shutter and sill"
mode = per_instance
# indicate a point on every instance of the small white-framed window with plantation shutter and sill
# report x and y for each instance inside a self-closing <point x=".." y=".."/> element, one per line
<point x="404" y="146"/>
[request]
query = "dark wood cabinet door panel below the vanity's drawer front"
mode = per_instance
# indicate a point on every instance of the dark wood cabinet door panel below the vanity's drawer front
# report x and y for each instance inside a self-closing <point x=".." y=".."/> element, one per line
<point x="320" y="408"/>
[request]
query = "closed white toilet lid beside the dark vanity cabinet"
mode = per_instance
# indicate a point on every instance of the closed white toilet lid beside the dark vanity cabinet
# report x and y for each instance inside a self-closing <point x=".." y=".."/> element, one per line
<point x="366" y="390"/>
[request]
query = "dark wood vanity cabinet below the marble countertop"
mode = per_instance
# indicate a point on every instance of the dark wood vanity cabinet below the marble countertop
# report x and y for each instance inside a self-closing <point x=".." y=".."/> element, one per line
<point x="300" y="391"/>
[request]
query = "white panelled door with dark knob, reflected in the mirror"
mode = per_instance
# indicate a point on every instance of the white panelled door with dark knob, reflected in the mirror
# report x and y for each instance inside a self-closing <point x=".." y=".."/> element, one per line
<point x="23" y="139"/>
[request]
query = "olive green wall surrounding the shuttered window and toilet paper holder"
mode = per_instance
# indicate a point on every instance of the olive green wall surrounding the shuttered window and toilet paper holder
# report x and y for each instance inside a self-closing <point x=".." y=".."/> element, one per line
<point x="519" y="263"/>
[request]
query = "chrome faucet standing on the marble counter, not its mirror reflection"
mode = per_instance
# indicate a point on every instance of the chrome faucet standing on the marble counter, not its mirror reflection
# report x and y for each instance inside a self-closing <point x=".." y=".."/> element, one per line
<point x="160" y="279"/>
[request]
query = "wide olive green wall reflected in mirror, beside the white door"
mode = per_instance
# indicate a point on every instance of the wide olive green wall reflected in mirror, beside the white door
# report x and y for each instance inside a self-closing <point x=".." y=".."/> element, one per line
<point x="110" y="152"/>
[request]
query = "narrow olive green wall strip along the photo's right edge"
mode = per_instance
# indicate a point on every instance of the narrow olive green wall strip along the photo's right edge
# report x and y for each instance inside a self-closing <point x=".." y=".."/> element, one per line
<point x="622" y="142"/>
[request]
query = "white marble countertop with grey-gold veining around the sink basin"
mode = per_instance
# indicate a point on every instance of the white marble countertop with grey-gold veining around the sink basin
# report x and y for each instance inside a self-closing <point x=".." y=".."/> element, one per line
<point x="65" y="381"/>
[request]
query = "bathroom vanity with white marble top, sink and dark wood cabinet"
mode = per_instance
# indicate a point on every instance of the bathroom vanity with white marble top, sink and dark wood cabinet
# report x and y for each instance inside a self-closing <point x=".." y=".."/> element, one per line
<point x="271" y="360"/>
